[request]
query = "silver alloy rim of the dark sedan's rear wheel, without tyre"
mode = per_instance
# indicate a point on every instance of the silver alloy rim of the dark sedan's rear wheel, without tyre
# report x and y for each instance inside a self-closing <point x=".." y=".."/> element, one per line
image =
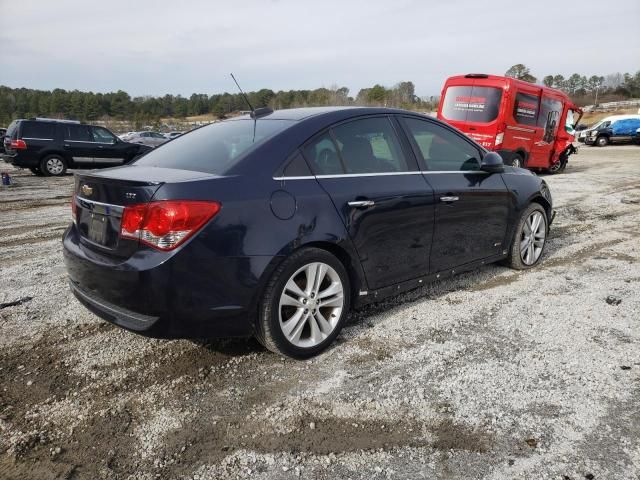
<point x="311" y="304"/>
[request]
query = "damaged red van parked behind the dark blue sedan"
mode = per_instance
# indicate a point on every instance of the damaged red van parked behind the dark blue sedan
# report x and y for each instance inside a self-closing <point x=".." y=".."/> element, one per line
<point x="529" y="125"/>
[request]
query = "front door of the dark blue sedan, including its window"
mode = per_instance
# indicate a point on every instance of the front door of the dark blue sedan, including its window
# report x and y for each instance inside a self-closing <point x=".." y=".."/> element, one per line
<point x="472" y="206"/>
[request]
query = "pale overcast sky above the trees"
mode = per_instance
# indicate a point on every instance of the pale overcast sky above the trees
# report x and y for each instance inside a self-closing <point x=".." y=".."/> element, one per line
<point x="158" y="47"/>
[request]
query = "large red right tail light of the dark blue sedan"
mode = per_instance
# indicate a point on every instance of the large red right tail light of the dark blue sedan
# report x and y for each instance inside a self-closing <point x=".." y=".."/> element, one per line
<point x="166" y="224"/>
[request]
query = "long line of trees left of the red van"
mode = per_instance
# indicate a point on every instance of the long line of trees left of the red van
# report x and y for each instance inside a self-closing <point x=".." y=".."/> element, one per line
<point x="88" y="106"/>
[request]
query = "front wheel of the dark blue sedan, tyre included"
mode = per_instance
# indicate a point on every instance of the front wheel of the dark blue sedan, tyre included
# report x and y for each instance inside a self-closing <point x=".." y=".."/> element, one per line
<point x="529" y="239"/>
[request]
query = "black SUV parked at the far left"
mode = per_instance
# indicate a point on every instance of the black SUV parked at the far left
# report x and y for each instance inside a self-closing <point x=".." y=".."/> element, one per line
<point x="49" y="147"/>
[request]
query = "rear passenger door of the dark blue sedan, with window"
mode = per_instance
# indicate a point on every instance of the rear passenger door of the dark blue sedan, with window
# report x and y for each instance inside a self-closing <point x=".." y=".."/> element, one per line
<point x="380" y="195"/>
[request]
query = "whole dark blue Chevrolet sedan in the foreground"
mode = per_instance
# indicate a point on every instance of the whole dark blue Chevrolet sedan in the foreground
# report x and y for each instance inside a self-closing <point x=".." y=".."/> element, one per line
<point x="276" y="227"/>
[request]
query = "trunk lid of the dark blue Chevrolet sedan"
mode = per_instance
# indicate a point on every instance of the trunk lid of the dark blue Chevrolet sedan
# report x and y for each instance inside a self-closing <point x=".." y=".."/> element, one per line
<point x="101" y="195"/>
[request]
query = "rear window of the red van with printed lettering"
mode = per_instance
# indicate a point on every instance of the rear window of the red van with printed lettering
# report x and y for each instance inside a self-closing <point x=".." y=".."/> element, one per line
<point x="471" y="104"/>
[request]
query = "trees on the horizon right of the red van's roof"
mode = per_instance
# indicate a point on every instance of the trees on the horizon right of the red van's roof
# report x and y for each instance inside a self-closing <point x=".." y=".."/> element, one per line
<point x="583" y="89"/>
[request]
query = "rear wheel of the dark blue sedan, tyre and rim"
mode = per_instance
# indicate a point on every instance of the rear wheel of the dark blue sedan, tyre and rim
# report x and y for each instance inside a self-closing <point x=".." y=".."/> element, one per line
<point x="305" y="304"/>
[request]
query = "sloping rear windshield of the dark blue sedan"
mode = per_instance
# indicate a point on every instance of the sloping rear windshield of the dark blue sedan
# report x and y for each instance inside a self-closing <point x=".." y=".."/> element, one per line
<point x="215" y="148"/>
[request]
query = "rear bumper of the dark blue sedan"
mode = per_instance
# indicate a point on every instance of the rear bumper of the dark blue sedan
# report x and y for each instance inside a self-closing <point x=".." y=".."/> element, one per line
<point x="182" y="294"/>
